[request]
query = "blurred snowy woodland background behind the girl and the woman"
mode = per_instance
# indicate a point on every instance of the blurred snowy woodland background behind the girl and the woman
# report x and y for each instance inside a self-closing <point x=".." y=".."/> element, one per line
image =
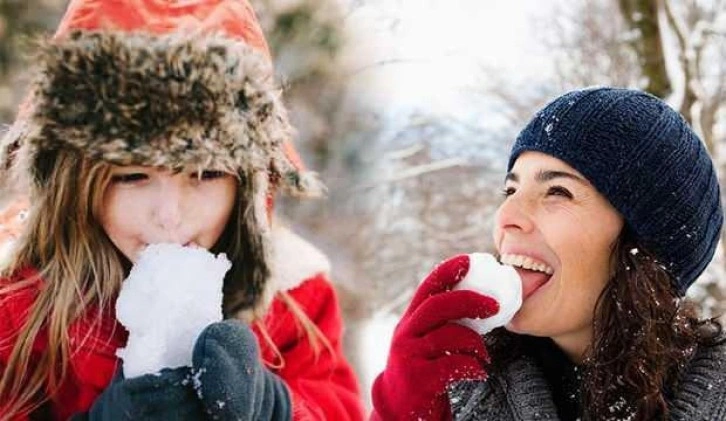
<point x="407" y="109"/>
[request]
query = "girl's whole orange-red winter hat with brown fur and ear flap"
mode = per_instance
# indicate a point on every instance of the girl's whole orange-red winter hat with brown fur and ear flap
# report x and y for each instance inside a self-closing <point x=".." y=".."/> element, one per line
<point x="165" y="83"/>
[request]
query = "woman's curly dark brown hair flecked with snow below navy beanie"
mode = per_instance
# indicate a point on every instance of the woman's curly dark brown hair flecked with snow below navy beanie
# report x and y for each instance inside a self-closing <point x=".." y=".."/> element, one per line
<point x="644" y="335"/>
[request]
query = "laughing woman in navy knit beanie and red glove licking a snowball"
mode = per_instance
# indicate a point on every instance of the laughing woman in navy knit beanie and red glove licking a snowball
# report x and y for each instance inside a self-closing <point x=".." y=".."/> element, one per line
<point x="611" y="211"/>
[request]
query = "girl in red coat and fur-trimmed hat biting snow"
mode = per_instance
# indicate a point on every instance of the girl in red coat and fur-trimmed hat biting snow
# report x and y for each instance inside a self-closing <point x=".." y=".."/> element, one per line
<point x="157" y="121"/>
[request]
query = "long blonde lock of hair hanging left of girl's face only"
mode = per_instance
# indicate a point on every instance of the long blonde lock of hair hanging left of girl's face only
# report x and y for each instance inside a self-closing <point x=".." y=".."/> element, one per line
<point x="77" y="263"/>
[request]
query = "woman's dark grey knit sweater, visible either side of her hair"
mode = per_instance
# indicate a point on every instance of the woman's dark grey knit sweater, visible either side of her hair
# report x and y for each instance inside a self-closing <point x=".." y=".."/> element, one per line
<point x="520" y="392"/>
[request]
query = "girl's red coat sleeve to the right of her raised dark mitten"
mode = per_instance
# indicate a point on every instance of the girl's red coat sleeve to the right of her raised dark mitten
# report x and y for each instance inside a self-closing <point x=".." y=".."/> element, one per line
<point x="322" y="384"/>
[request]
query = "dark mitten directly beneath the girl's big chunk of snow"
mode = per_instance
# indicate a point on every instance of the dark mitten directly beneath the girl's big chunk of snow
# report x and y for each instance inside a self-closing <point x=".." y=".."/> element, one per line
<point x="168" y="395"/>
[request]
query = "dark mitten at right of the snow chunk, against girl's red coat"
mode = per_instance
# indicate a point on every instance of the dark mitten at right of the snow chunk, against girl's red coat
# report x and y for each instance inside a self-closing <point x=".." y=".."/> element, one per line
<point x="232" y="382"/>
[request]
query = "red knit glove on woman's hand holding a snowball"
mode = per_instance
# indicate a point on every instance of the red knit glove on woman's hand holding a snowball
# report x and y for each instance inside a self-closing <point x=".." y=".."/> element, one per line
<point x="428" y="352"/>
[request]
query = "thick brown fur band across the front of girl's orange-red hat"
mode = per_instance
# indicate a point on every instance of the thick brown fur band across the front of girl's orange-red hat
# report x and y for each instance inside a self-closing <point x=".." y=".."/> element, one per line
<point x="161" y="100"/>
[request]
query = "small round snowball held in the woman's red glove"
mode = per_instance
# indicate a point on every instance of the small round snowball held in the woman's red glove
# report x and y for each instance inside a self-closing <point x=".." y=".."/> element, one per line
<point x="501" y="282"/>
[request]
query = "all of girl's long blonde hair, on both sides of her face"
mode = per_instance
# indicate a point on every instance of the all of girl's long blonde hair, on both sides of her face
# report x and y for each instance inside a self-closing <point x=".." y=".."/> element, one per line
<point x="81" y="269"/>
